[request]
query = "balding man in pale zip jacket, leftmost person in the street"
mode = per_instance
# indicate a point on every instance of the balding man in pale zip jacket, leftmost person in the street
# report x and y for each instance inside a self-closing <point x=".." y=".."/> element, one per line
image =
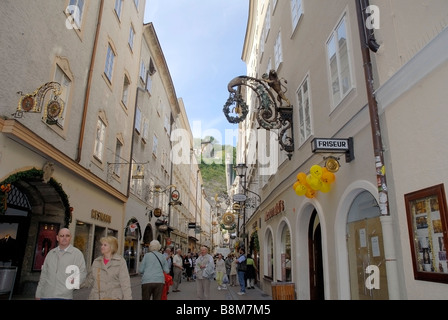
<point x="63" y="270"/>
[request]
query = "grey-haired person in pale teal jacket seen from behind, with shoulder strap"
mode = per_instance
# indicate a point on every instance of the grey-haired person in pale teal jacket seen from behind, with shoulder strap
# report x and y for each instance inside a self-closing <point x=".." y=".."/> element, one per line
<point x="152" y="267"/>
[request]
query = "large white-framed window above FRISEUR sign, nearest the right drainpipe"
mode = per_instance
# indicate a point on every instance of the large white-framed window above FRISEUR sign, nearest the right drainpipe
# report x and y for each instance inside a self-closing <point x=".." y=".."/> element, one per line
<point x="339" y="63"/>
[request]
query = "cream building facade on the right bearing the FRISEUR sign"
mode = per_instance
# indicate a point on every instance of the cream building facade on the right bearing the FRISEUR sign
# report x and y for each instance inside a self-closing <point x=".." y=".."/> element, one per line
<point x="352" y="237"/>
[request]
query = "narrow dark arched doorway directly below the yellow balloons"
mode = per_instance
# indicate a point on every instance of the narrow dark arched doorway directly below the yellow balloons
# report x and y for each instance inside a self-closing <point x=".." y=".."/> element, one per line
<point x="315" y="258"/>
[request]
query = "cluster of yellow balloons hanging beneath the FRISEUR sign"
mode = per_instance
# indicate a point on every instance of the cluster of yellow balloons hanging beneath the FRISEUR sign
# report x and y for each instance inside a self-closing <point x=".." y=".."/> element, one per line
<point x="319" y="179"/>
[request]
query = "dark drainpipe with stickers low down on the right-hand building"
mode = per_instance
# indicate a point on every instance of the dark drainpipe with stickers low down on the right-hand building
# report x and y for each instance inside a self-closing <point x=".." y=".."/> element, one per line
<point x="368" y="43"/>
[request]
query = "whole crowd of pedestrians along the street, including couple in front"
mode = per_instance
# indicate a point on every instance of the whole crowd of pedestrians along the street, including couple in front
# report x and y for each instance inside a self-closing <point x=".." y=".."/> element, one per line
<point x="109" y="279"/>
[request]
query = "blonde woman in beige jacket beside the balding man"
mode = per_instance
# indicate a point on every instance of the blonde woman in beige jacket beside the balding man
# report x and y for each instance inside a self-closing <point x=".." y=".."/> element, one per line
<point x="109" y="275"/>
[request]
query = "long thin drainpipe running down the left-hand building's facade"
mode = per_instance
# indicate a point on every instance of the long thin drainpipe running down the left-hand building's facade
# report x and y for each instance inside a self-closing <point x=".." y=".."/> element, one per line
<point x="89" y="83"/>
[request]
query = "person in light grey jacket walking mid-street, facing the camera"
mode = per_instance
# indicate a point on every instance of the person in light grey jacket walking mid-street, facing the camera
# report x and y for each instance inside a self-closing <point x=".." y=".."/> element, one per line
<point x="205" y="272"/>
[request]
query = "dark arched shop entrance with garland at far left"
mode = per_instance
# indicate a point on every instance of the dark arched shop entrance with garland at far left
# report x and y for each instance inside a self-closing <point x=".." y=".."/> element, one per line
<point x="33" y="210"/>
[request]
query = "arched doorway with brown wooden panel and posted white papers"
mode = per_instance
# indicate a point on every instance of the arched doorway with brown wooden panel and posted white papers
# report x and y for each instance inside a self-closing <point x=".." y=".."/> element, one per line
<point x="365" y="248"/>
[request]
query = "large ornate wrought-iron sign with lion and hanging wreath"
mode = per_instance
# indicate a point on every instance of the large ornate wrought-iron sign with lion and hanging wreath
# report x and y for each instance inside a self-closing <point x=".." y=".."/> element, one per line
<point x="271" y="114"/>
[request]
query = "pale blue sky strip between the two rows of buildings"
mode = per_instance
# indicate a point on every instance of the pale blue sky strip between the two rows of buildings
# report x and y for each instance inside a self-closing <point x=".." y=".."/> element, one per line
<point x="202" y="41"/>
